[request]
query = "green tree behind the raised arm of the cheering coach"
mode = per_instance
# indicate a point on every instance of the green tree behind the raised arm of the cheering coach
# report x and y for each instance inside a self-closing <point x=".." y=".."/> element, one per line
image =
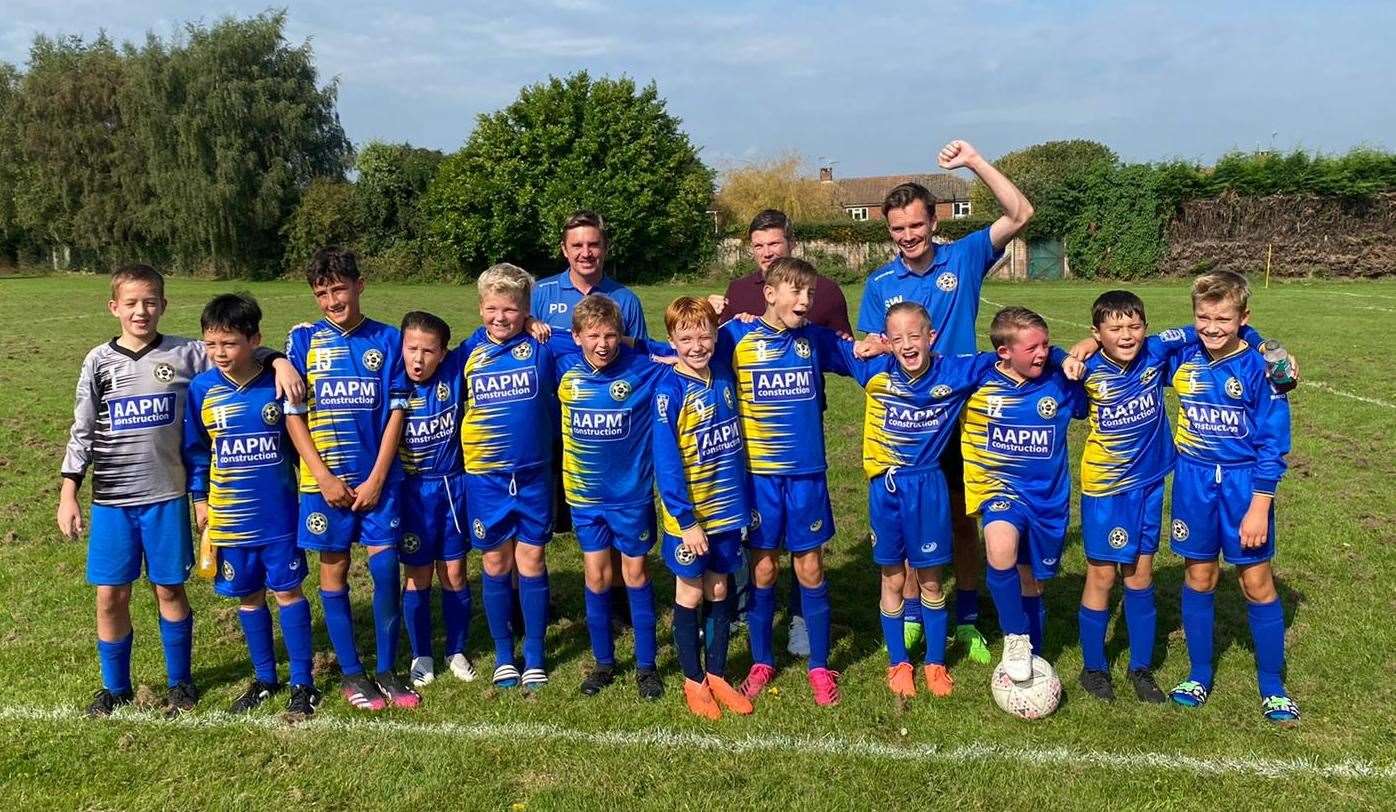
<point x="1053" y="178"/>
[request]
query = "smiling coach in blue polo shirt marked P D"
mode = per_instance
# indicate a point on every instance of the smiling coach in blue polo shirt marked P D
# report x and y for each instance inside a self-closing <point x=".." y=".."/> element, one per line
<point x="584" y="246"/>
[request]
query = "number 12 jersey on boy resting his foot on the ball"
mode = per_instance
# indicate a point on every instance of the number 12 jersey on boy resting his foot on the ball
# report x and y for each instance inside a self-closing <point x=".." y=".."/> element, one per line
<point x="1014" y="440"/>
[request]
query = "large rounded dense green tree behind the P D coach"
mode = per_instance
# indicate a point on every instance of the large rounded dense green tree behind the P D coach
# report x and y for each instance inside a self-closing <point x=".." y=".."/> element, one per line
<point x="567" y="144"/>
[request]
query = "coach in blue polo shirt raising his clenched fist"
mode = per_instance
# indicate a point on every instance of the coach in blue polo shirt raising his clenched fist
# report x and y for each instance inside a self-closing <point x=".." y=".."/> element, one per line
<point x="947" y="281"/>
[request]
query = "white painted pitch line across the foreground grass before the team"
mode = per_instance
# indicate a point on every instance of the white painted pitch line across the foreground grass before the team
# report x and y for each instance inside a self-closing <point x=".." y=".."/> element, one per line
<point x="678" y="740"/>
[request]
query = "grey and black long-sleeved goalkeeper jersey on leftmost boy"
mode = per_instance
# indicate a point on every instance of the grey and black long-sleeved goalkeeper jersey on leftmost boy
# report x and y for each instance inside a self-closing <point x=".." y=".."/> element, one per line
<point x="128" y="421"/>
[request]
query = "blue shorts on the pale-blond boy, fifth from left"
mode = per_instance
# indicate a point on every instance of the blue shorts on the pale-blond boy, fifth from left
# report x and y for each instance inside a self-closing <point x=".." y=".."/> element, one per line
<point x="505" y="506"/>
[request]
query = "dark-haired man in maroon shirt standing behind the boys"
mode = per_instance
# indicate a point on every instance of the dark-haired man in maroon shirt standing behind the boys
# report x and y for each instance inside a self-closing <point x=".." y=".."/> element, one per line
<point x="770" y="236"/>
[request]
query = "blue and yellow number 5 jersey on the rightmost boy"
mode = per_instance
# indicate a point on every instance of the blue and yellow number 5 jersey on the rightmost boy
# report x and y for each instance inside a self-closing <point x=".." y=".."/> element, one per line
<point x="1229" y="415"/>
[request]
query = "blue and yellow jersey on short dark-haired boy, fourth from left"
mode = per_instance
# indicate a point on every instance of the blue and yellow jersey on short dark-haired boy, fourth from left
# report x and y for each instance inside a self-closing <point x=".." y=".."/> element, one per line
<point x="432" y="430"/>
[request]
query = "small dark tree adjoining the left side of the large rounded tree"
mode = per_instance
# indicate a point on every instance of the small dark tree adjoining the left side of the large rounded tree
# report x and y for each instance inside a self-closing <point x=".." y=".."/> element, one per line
<point x="393" y="178"/>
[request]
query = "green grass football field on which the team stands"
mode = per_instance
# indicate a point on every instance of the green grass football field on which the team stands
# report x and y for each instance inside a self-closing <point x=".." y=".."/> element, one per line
<point x="468" y="747"/>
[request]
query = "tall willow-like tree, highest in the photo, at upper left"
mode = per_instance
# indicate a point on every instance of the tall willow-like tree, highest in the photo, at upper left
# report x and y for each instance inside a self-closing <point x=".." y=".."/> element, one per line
<point x="232" y="126"/>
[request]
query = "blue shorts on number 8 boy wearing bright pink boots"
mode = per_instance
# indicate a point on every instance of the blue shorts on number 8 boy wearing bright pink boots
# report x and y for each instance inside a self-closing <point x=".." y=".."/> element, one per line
<point x="791" y="511"/>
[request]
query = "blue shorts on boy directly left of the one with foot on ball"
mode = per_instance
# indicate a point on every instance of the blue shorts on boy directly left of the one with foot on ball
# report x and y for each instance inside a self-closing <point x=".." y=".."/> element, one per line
<point x="911" y="517"/>
